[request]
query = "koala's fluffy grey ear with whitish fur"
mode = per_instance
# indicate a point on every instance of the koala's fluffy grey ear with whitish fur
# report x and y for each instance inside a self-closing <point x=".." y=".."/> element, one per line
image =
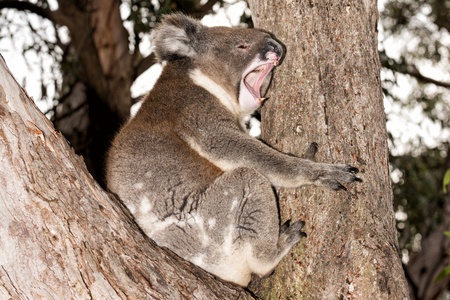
<point x="176" y="37"/>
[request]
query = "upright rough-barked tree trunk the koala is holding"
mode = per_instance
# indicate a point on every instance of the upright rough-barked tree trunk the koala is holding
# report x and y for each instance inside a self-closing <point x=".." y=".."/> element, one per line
<point x="328" y="91"/>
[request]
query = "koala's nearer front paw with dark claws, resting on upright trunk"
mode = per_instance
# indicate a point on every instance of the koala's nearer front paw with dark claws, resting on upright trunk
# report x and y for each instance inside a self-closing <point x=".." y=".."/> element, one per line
<point x="334" y="176"/>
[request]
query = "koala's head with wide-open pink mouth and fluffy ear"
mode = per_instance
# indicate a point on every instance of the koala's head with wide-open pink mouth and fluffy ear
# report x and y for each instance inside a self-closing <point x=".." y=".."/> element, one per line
<point x="241" y="60"/>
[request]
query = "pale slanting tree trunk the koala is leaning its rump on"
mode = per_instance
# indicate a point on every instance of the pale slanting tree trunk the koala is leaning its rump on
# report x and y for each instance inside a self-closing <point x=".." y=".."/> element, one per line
<point x="62" y="236"/>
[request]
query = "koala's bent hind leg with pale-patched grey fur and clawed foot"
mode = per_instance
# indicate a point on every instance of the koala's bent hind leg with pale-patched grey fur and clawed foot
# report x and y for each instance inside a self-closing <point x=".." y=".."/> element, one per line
<point x="241" y="213"/>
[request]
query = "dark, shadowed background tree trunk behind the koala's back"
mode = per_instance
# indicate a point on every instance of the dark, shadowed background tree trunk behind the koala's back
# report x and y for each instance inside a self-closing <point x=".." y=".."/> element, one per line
<point x="105" y="67"/>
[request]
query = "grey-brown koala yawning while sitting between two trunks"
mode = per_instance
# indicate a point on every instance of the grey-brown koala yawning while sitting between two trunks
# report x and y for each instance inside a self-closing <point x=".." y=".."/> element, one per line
<point x="185" y="167"/>
